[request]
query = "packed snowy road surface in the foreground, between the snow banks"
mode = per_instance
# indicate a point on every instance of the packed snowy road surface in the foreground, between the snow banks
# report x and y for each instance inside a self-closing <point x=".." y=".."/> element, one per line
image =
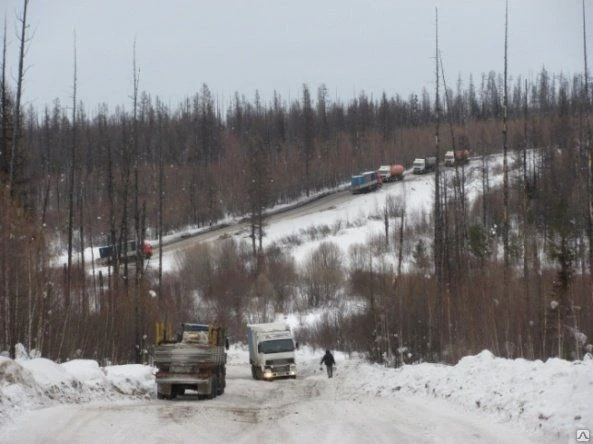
<point x="311" y="408"/>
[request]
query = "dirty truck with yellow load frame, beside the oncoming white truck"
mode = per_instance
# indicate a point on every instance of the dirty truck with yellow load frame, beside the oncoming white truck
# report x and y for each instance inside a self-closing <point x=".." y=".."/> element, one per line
<point x="194" y="360"/>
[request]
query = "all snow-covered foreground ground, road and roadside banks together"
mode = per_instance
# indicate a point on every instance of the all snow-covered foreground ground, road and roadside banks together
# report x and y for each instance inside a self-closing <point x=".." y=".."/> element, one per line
<point x="481" y="399"/>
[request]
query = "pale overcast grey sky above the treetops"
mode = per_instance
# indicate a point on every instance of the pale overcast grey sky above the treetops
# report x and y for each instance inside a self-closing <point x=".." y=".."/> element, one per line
<point x="232" y="45"/>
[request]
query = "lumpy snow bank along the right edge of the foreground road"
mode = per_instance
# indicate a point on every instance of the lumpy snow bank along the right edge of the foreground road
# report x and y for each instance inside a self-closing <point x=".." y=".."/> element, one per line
<point x="555" y="396"/>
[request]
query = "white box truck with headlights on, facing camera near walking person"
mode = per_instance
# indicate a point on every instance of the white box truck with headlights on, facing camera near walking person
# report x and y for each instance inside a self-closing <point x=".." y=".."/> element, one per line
<point x="271" y="350"/>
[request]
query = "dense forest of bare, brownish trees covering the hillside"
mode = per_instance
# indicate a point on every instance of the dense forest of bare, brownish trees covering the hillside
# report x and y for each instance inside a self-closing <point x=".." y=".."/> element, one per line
<point x="75" y="178"/>
